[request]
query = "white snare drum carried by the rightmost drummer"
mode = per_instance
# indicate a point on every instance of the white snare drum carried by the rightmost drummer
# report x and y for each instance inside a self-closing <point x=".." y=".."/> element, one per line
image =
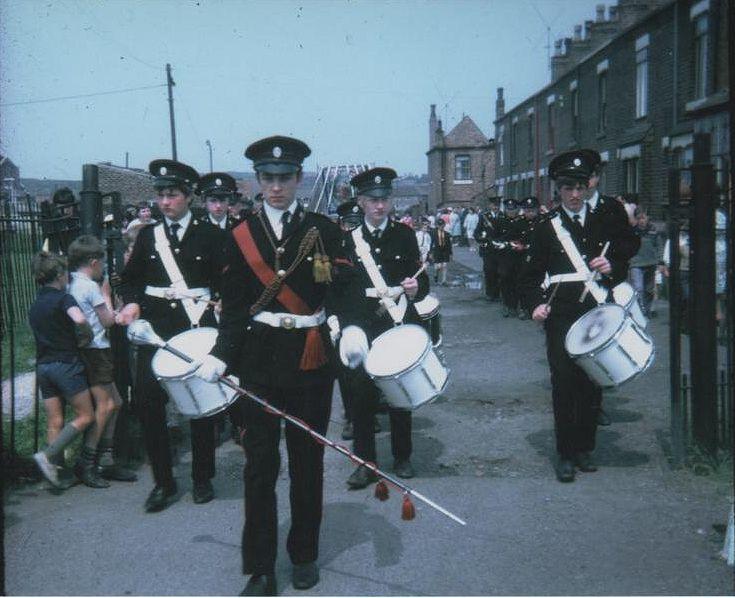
<point x="609" y="345"/>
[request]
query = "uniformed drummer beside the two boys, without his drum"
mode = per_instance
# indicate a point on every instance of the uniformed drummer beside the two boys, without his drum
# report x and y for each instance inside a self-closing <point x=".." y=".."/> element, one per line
<point x="193" y="250"/>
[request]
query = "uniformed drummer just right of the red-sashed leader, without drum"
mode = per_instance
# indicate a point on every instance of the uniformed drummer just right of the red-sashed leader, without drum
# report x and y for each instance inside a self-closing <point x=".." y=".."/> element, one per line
<point x="393" y="248"/>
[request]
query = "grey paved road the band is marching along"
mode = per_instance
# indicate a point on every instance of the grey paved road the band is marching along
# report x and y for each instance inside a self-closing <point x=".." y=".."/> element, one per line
<point x="483" y="451"/>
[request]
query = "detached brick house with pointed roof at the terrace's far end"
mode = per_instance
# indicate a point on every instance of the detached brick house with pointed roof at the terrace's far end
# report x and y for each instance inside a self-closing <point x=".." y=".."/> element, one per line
<point x="461" y="164"/>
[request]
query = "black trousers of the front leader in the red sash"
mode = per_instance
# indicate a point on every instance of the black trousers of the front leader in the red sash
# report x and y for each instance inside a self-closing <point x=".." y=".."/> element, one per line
<point x="305" y="469"/>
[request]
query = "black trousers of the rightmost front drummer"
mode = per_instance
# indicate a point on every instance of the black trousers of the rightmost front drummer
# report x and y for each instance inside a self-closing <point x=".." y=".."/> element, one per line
<point x="576" y="398"/>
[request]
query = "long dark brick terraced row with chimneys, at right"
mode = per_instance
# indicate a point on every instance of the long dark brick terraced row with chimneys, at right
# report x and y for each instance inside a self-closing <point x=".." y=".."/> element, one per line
<point x="635" y="86"/>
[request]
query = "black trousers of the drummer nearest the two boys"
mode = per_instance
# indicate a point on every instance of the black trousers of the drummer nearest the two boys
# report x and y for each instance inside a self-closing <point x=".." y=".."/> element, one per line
<point x="152" y="409"/>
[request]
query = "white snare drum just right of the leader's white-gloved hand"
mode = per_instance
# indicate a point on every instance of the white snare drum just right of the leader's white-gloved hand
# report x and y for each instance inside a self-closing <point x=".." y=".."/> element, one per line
<point x="404" y="366"/>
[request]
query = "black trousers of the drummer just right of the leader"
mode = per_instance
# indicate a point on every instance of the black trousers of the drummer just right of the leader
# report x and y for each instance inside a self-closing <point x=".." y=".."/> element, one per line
<point x="365" y="398"/>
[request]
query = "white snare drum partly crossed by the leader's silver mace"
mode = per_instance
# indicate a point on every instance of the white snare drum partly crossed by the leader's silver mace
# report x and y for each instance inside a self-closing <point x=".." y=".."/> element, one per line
<point x="194" y="397"/>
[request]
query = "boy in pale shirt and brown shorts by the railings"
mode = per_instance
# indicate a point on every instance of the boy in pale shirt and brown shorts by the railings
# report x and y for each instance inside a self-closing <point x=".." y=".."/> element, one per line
<point x="86" y="264"/>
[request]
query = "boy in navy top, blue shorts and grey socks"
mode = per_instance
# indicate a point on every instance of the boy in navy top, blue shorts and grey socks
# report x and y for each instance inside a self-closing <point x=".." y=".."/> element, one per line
<point x="58" y="326"/>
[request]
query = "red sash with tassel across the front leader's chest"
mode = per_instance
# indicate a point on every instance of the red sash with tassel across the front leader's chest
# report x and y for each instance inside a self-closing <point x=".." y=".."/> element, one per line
<point x="314" y="355"/>
